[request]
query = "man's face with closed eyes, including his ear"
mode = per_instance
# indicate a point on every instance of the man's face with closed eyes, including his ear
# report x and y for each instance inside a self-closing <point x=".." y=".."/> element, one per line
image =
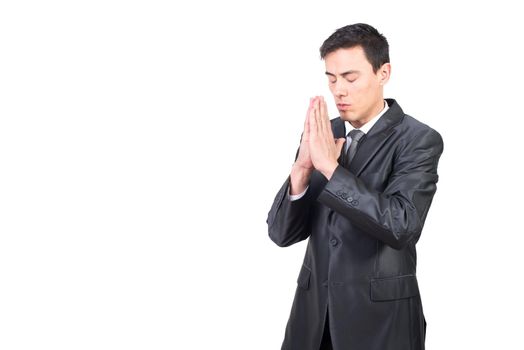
<point x="358" y="91"/>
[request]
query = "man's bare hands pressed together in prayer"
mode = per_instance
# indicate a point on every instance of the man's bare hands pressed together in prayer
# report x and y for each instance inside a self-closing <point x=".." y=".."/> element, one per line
<point x="318" y="148"/>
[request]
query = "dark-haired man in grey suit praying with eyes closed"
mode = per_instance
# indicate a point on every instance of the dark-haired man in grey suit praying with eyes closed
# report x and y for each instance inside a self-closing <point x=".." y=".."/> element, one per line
<point x="362" y="201"/>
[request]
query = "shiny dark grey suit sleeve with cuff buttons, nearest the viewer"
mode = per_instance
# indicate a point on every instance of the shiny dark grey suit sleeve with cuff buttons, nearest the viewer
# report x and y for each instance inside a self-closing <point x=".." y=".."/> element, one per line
<point x="396" y="215"/>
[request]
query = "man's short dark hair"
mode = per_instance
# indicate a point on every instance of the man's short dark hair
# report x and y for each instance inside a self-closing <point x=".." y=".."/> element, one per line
<point x="373" y="43"/>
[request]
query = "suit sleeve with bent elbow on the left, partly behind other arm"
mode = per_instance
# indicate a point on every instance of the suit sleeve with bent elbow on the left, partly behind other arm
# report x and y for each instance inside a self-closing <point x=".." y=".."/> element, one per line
<point x="288" y="220"/>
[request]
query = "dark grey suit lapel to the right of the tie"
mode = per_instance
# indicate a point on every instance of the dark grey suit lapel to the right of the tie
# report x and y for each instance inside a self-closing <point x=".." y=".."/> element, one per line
<point x="371" y="143"/>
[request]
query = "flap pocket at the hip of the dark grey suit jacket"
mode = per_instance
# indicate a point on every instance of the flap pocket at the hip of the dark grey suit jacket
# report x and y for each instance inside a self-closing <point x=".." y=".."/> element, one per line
<point x="393" y="288"/>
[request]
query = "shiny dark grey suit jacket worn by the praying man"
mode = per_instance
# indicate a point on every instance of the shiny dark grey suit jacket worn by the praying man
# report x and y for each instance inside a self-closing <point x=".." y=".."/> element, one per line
<point x="362" y="225"/>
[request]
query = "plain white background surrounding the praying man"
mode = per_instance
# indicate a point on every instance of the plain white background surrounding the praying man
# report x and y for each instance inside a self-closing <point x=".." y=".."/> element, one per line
<point x="142" y="144"/>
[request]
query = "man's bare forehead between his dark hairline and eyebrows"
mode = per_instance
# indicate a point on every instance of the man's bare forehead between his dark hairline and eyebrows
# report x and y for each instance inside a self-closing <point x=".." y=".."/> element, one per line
<point x="347" y="59"/>
